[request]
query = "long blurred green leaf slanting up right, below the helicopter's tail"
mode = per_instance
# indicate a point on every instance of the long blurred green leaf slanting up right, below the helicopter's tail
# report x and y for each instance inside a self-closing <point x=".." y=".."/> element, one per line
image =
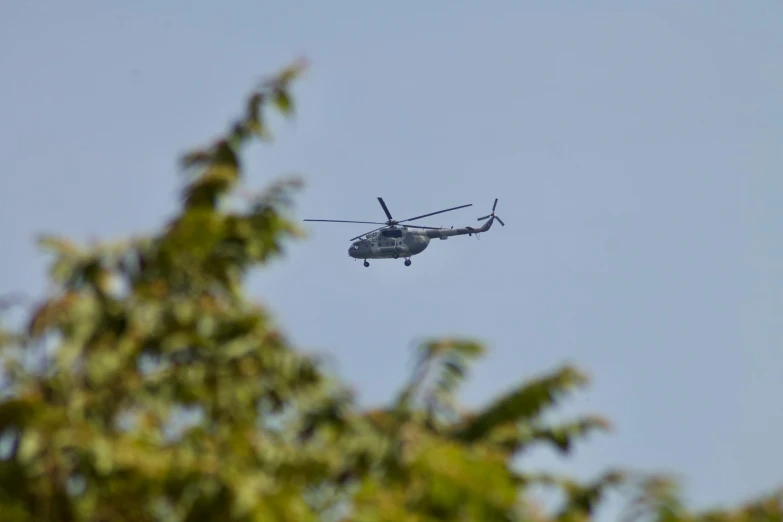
<point x="525" y="403"/>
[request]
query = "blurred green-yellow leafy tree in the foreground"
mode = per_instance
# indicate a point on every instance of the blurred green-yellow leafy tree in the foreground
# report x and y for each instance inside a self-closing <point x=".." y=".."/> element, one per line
<point x="165" y="394"/>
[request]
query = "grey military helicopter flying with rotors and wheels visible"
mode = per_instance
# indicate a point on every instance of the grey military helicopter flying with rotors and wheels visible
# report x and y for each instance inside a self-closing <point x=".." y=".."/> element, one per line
<point x="395" y="239"/>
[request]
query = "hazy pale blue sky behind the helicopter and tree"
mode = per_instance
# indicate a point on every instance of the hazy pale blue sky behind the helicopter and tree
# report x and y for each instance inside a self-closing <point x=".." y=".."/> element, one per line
<point x="634" y="148"/>
